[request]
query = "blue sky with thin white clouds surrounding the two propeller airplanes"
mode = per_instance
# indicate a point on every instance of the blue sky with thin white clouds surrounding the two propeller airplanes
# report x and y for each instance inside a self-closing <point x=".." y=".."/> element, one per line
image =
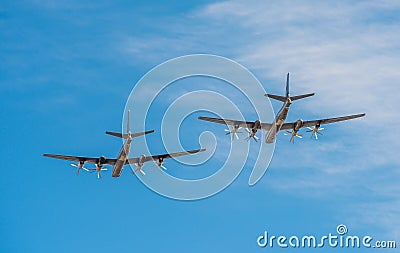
<point x="69" y="66"/>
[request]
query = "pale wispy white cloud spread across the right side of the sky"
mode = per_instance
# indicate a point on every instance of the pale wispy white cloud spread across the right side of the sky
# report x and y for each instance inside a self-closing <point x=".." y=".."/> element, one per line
<point x="345" y="51"/>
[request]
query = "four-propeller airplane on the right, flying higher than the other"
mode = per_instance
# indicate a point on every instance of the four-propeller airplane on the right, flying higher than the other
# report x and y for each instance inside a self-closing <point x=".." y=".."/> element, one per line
<point x="314" y="126"/>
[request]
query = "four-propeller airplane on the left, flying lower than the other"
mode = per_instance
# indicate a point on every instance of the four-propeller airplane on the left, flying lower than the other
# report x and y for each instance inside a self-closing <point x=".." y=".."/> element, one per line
<point x="122" y="158"/>
